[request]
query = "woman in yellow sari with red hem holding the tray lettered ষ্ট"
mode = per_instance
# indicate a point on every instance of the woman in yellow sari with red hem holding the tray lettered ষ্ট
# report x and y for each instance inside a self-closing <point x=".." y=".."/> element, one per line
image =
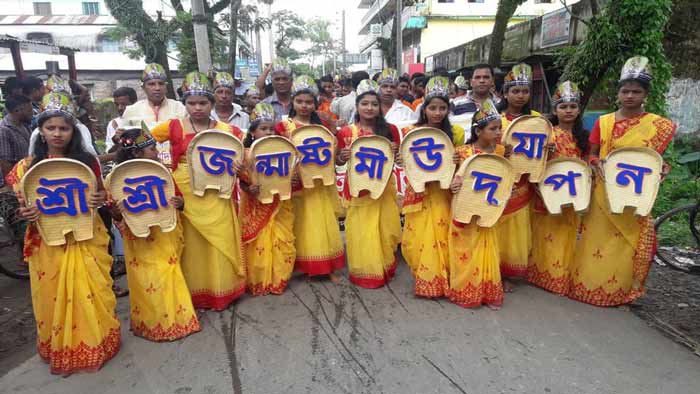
<point x="319" y="244"/>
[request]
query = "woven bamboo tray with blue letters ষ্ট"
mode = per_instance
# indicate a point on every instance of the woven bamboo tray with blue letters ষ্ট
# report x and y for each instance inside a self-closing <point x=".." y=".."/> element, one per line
<point x="316" y="151"/>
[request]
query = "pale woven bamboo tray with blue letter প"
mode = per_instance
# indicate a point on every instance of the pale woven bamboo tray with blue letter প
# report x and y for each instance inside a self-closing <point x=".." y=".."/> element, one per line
<point x="566" y="182"/>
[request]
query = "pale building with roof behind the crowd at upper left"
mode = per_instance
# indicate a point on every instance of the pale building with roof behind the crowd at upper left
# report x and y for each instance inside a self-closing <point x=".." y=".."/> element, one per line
<point x="101" y="62"/>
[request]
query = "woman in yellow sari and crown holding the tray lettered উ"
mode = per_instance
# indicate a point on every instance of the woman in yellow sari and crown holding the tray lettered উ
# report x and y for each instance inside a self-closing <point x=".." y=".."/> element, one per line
<point x="427" y="214"/>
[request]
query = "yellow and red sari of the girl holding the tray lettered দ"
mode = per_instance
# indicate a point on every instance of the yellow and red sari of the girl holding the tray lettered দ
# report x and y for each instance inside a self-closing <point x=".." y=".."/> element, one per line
<point x="473" y="251"/>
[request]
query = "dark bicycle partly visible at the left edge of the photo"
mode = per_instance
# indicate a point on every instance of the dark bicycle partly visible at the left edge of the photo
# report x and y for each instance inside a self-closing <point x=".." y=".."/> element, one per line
<point x="11" y="238"/>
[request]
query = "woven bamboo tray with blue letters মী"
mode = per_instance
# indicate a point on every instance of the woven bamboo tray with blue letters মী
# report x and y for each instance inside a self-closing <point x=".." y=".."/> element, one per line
<point x="370" y="165"/>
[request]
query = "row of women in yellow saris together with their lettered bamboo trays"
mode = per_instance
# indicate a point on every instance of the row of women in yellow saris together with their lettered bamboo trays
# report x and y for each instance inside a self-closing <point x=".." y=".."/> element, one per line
<point x="516" y="197"/>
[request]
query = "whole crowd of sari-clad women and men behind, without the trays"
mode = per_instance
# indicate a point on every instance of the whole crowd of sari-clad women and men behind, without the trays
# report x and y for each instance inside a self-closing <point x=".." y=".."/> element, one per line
<point x="222" y="248"/>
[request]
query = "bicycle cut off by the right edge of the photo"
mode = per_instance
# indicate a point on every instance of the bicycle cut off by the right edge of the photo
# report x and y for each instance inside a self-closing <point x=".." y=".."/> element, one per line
<point x="682" y="259"/>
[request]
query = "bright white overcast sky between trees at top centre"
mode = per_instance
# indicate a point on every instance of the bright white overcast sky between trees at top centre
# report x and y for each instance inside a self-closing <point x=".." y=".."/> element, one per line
<point x="328" y="9"/>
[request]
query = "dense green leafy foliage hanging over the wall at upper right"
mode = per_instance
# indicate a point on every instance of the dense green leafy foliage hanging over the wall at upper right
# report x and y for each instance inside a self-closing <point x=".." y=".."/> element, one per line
<point x="625" y="28"/>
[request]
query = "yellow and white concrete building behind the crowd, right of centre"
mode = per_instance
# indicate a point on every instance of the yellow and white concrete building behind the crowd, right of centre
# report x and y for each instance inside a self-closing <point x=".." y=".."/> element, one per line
<point x="431" y="26"/>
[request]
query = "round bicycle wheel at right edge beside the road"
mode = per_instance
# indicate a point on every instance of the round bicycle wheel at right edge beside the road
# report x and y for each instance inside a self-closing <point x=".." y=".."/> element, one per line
<point x="676" y="232"/>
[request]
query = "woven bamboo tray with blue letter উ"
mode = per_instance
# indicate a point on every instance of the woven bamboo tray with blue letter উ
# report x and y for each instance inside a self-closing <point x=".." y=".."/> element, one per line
<point x="427" y="157"/>
